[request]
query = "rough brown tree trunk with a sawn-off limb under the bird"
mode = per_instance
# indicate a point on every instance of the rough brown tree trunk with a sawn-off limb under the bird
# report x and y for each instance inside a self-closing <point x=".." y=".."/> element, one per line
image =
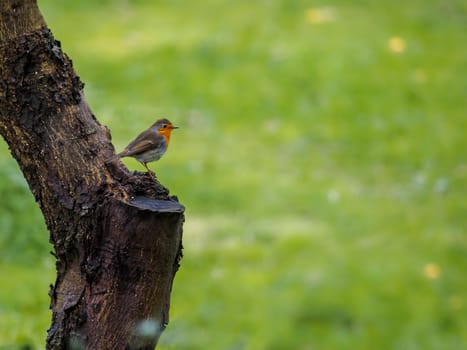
<point x="116" y="235"/>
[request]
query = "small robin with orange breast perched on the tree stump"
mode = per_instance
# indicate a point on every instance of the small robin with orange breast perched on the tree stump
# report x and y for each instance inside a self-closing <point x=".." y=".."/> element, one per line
<point x="151" y="144"/>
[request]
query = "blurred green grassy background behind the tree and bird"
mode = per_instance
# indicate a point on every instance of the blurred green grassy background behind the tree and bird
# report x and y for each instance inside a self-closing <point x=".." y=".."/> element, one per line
<point x="322" y="159"/>
